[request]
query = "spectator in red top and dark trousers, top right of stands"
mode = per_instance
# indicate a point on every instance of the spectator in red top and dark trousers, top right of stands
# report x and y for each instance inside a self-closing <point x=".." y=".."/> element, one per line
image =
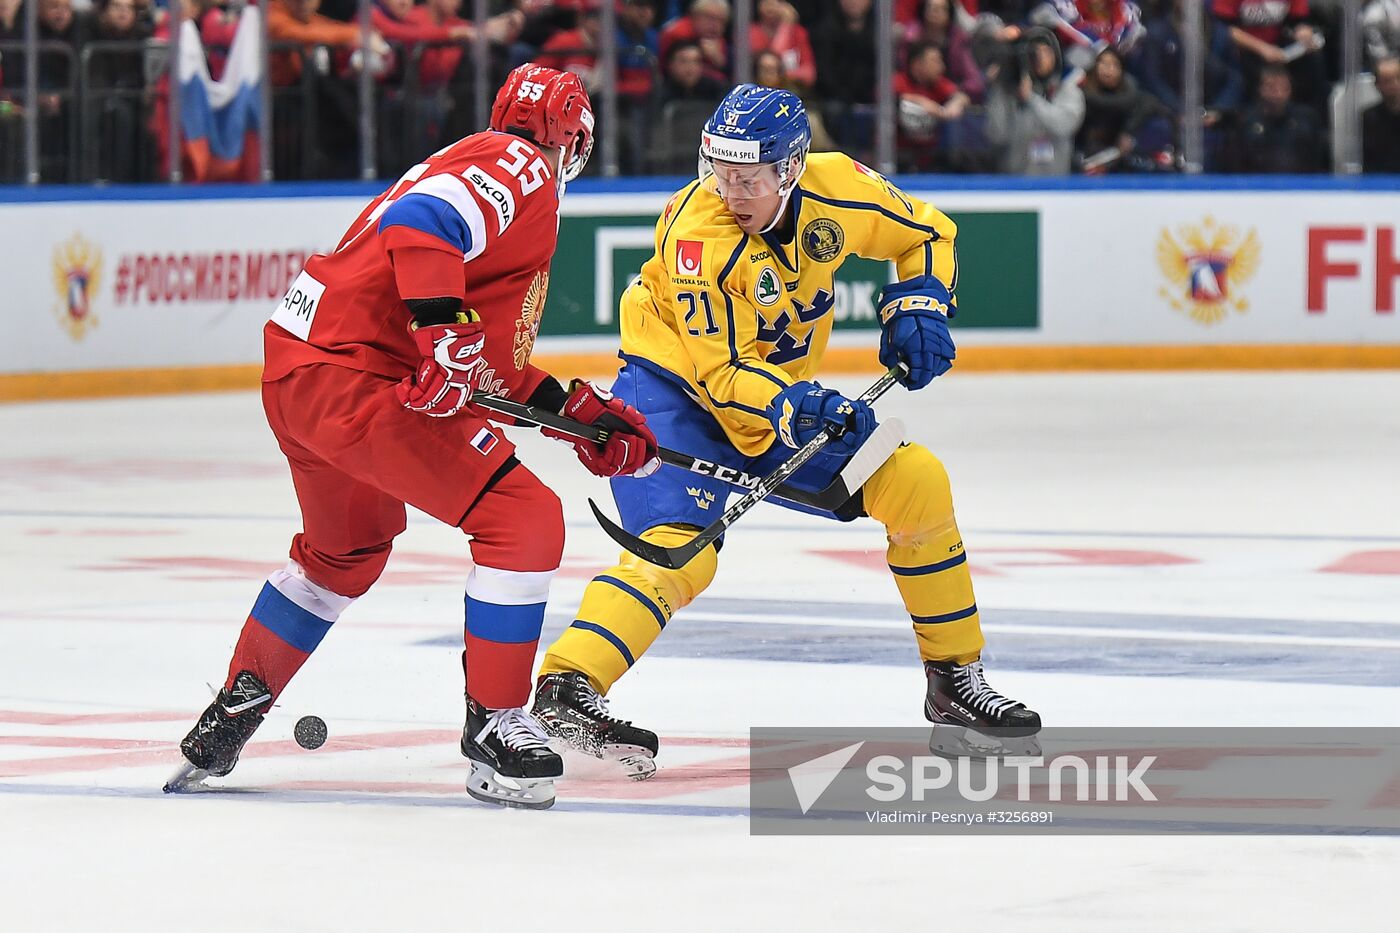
<point x="1263" y="29"/>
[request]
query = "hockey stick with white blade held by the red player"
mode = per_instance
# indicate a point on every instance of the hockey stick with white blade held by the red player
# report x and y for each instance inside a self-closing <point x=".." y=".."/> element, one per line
<point x="836" y="494"/>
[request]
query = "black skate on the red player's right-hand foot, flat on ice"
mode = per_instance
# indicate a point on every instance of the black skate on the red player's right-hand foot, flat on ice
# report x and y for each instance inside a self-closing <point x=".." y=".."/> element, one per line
<point x="512" y="764"/>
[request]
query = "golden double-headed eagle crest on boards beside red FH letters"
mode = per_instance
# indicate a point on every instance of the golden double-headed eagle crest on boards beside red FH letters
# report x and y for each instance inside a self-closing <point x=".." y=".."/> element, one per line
<point x="1207" y="267"/>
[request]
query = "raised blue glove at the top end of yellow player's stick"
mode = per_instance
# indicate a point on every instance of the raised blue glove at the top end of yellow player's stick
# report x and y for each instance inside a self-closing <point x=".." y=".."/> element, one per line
<point x="913" y="317"/>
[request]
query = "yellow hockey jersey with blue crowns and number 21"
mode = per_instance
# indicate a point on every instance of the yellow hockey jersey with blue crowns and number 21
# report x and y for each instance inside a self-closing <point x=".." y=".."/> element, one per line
<point x="743" y="317"/>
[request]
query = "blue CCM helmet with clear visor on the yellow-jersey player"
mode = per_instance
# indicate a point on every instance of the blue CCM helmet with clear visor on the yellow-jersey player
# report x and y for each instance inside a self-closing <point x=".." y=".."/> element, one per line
<point x="757" y="127"/>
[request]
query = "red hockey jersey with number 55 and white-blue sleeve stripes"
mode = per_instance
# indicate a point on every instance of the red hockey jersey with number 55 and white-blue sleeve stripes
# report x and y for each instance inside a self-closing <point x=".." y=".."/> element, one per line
<point x="491" y="201"/>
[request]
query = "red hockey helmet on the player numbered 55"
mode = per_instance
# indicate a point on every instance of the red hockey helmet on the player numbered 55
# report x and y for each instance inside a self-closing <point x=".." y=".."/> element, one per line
<point x="552" y="110"/>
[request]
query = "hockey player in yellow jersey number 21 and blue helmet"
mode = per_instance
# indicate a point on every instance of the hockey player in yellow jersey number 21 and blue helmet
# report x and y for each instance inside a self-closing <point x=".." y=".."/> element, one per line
<point x="723" y="338"/>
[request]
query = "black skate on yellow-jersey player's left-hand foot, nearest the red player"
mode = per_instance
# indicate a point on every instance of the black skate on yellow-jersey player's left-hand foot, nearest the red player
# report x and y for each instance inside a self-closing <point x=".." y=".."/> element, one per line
<point x="572" y="711"/>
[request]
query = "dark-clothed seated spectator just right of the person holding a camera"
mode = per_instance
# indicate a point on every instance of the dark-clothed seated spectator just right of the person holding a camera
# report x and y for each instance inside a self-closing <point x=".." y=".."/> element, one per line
<point x="1115" y="114"/>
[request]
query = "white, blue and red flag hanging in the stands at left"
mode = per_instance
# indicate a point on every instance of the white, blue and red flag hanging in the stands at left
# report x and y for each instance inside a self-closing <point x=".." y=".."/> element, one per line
<point x="220" y="120"/>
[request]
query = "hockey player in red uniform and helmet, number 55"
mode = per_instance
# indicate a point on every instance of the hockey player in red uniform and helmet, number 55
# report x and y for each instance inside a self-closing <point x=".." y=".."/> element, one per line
<point x="372" y="359"/>
